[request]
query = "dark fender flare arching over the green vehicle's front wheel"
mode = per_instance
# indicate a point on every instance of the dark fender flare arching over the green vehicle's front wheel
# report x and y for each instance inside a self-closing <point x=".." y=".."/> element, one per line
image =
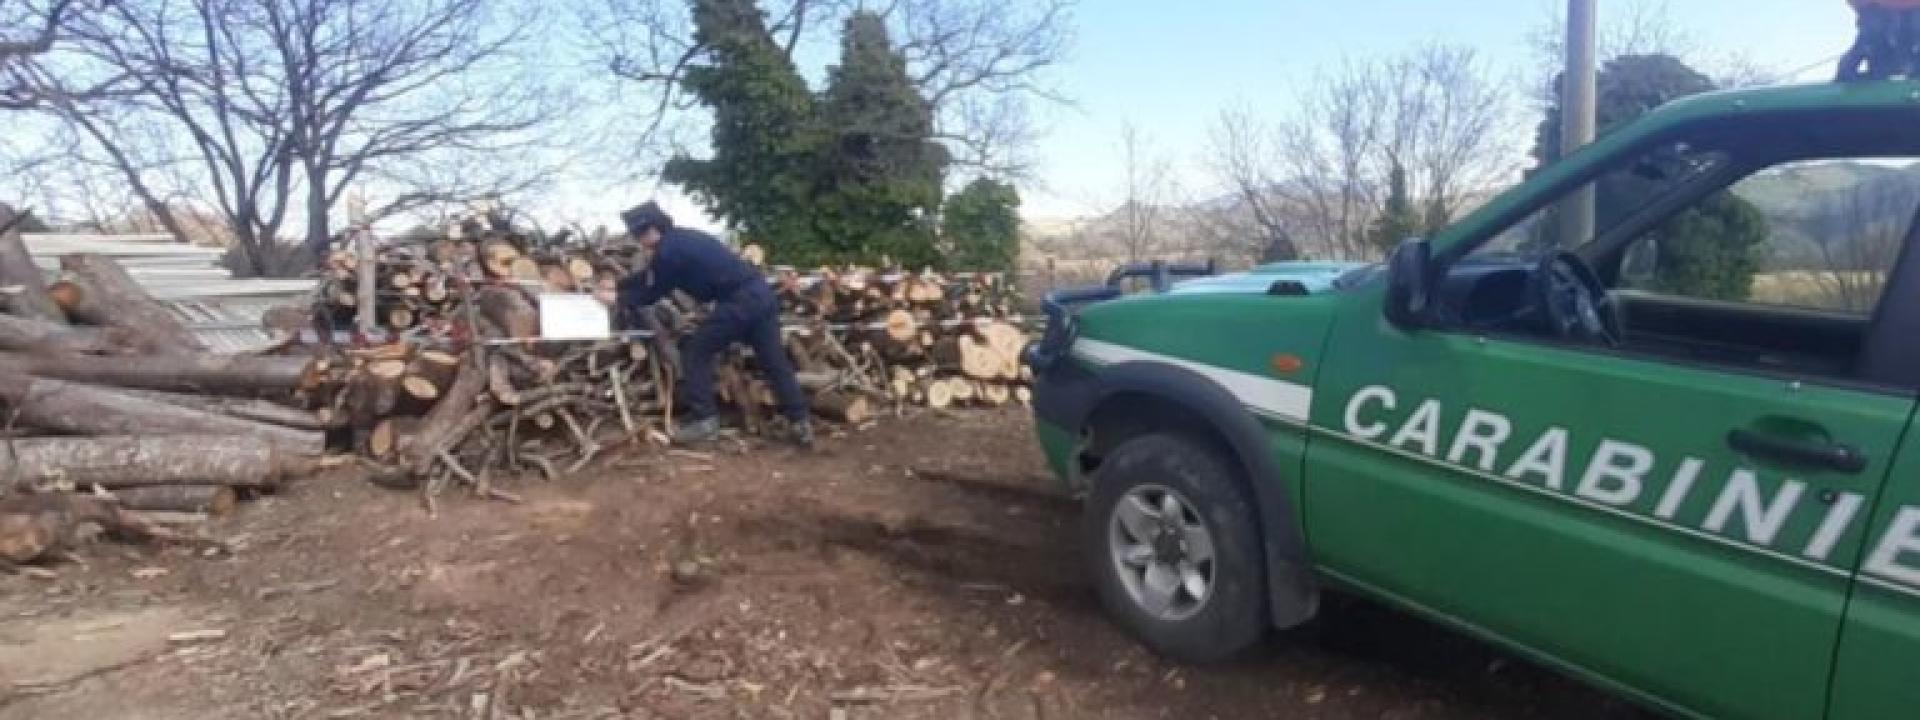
<point x="1291" y="583"/>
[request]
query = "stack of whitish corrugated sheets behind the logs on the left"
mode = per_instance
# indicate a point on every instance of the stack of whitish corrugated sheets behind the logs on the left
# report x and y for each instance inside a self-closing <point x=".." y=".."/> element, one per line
<point x="222" y="312"/>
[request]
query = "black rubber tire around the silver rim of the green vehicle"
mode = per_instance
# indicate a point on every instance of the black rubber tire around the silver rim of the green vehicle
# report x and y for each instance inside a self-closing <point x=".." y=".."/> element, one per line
<point x="1232" y="617"/>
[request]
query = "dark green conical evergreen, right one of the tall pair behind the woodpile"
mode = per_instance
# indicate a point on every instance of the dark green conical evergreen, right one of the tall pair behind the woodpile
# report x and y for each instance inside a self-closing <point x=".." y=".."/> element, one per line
<point x="880" y="178"/>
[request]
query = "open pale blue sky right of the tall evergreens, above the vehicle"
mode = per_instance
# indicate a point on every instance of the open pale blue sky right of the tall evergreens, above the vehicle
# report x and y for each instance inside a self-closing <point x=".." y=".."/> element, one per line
<point x="1170" y="68"/>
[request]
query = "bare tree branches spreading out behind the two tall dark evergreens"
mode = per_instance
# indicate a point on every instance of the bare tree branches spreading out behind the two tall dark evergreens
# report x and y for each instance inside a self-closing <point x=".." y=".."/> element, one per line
<point x="978" y="62"/>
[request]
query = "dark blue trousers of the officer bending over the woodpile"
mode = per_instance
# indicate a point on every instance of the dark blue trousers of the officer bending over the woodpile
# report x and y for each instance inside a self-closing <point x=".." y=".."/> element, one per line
<point x="752" y="316"/>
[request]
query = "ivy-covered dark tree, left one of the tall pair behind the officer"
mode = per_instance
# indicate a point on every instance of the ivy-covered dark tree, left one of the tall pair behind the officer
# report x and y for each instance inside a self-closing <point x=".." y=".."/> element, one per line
<point x="765" y="133"/>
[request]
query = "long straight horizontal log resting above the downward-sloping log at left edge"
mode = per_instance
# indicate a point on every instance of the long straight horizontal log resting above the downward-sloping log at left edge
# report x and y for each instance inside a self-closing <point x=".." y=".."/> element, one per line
<point x="218" y="375"/>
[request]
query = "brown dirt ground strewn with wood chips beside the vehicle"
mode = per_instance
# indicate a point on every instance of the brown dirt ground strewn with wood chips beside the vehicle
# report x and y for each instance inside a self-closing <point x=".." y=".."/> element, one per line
<point x="923" y="569"/>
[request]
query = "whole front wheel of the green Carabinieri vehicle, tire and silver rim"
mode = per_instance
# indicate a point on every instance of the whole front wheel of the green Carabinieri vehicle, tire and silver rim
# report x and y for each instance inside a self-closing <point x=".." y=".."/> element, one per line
<point x="1176" y="548"/>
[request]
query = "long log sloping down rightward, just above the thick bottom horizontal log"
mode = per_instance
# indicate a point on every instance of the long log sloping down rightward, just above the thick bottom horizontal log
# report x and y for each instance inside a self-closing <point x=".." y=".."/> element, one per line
<point x="85" y="410"/>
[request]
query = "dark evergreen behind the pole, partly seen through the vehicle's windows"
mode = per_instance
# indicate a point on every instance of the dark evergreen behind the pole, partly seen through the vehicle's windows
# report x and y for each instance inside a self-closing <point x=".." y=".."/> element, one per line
<point x="1708" y="251"/>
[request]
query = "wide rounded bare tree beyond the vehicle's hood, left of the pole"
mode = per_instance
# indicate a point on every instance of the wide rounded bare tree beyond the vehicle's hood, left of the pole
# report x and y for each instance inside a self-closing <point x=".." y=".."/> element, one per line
<point x="1314" y="183"/>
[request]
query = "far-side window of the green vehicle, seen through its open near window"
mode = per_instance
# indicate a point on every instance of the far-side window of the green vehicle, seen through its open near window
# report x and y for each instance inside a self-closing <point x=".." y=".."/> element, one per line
<point x="1815" y="235"/>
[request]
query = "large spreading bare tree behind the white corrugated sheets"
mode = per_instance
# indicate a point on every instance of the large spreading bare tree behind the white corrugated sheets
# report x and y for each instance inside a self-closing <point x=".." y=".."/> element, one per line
<point x="285" y="105"/>
